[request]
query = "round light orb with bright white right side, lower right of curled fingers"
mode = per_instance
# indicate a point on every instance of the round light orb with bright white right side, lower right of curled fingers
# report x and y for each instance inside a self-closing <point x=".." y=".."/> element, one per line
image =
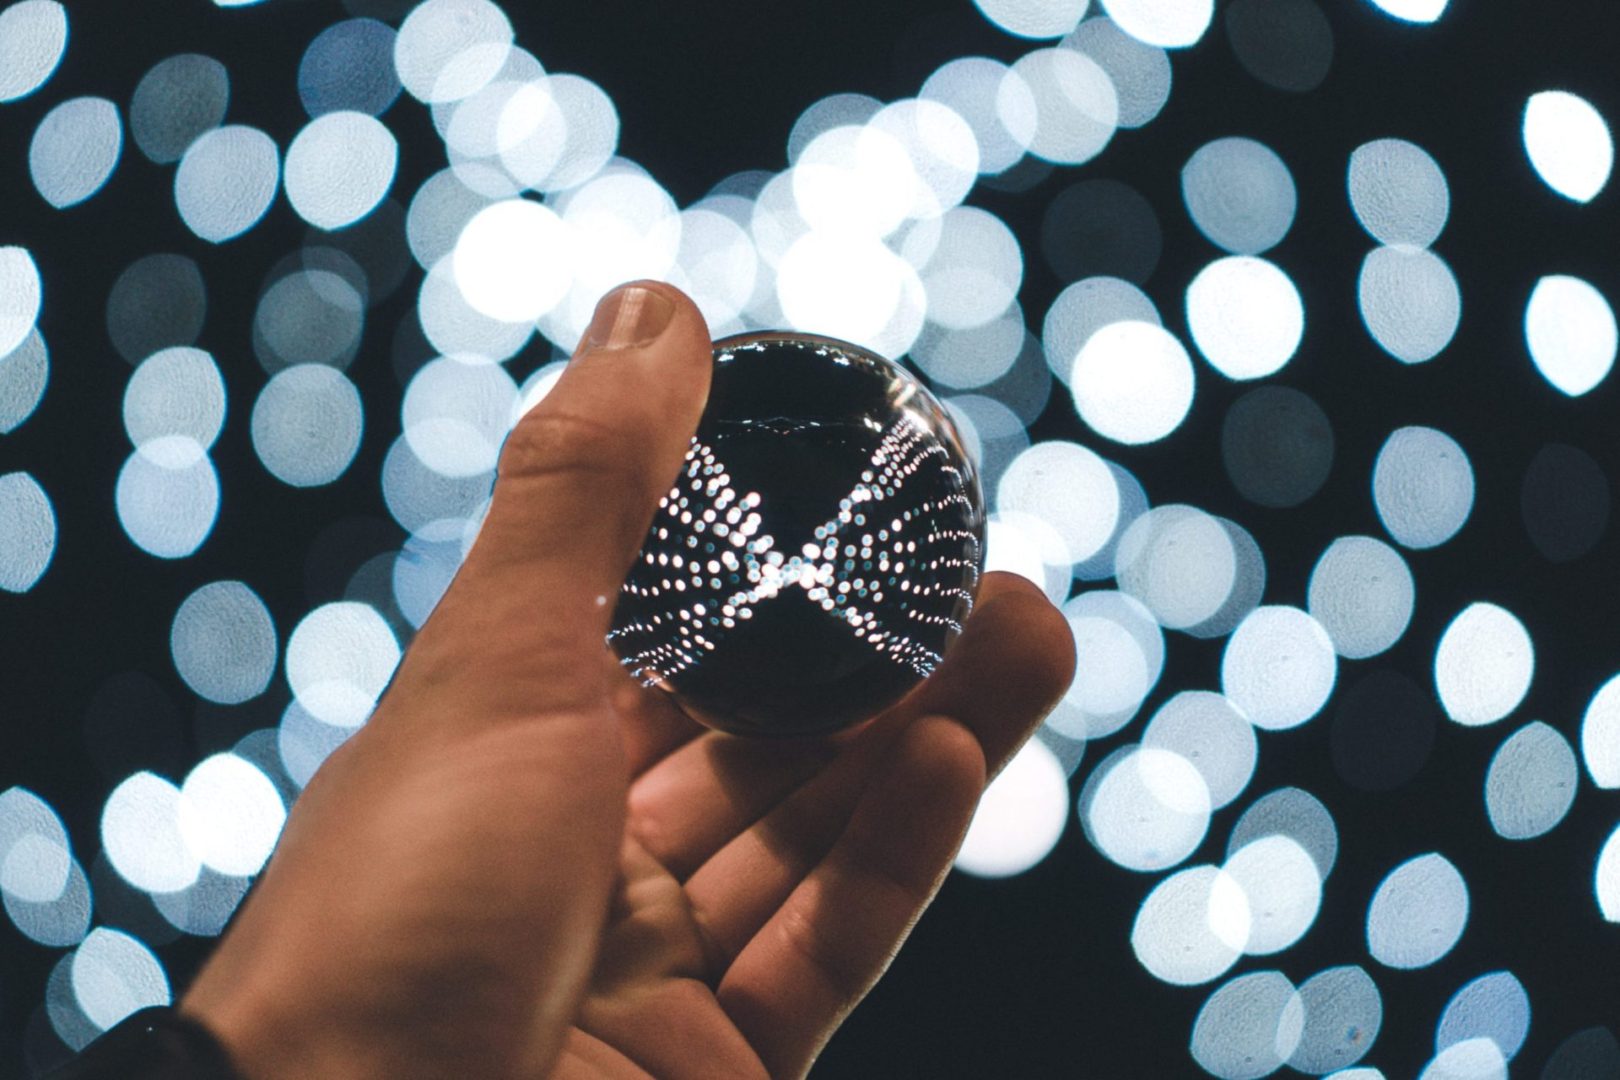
<point x="1146" y="809"/>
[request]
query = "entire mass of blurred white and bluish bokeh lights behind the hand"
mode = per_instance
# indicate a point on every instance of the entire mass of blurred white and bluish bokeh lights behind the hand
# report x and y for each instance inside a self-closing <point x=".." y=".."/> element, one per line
<point x="864" y="236"/>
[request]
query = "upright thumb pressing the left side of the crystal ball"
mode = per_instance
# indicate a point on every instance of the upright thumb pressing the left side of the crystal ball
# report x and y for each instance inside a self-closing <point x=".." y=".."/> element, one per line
<point x="581" y="477"/>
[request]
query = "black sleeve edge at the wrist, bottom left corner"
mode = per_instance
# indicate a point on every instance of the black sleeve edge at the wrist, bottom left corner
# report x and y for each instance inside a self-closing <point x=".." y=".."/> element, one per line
<point x="151" y="1045"/>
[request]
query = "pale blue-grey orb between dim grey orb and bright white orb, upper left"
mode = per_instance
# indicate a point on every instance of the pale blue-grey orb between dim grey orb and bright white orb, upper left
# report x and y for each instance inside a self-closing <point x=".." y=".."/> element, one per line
<point x="228" y="182"/>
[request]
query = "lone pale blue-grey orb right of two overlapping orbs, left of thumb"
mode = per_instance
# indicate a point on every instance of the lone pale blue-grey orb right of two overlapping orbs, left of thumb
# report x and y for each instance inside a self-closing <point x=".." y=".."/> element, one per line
<point x="307" y="425"/>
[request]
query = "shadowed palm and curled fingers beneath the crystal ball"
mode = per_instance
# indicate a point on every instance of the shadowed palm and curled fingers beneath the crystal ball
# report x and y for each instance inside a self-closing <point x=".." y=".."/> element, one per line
<point x="765" y="885"/>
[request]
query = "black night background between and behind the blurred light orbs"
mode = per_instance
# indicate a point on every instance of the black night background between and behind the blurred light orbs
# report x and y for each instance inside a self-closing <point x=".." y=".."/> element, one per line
<point x="1030" y="977"/>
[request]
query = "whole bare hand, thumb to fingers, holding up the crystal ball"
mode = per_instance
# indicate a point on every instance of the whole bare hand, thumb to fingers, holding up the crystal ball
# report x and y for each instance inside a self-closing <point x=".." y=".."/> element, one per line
<point x="527" y="865"/>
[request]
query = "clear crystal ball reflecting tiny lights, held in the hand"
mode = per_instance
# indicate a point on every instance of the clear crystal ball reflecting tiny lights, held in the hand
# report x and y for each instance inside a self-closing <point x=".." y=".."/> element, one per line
<point x="819" y="551"/>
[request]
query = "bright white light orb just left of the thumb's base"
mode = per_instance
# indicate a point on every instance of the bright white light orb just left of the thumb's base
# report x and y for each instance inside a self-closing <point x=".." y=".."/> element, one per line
<point x="339" y="660"/>
